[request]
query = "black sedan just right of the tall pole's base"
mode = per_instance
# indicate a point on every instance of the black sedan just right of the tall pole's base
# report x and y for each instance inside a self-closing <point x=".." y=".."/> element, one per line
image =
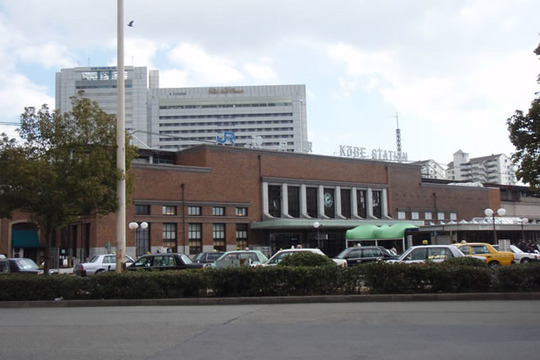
<point x="164" y="261"/>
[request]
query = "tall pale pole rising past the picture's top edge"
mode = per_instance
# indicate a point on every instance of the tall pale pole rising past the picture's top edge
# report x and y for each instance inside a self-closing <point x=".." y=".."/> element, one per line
<point x="121" y="144"/>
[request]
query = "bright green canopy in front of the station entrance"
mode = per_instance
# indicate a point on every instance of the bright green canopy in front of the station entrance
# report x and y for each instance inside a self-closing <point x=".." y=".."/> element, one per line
<point x="374" y="234"/>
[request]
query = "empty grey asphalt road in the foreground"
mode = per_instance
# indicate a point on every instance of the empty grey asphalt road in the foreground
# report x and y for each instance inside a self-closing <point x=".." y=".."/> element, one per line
<point x="379" y="330"/>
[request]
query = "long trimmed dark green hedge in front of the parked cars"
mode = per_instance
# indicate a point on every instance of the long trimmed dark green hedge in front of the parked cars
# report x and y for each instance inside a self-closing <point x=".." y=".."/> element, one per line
<point x="375" y="278"/>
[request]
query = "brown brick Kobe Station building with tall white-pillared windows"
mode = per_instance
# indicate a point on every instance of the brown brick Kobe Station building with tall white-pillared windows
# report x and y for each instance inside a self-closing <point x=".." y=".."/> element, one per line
<point x="222" y="197"/>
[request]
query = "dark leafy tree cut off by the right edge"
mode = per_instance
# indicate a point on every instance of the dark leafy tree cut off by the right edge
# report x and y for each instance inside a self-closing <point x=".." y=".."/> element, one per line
<point x="525" y="135"/>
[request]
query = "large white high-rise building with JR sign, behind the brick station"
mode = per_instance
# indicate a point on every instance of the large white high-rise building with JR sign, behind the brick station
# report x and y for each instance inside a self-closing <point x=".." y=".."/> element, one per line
<point x="269" y="117"/>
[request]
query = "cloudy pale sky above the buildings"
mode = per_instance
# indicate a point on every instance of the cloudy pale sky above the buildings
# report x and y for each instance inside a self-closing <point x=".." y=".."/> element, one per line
<point x="452" y="71"/>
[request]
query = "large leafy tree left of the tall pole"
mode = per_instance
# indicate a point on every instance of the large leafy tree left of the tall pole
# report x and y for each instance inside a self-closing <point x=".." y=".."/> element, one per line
<point x="63" y="168"/>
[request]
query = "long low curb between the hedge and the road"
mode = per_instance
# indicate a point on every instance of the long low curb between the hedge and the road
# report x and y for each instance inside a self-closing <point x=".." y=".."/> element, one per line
<point x="274" y="300"/>
